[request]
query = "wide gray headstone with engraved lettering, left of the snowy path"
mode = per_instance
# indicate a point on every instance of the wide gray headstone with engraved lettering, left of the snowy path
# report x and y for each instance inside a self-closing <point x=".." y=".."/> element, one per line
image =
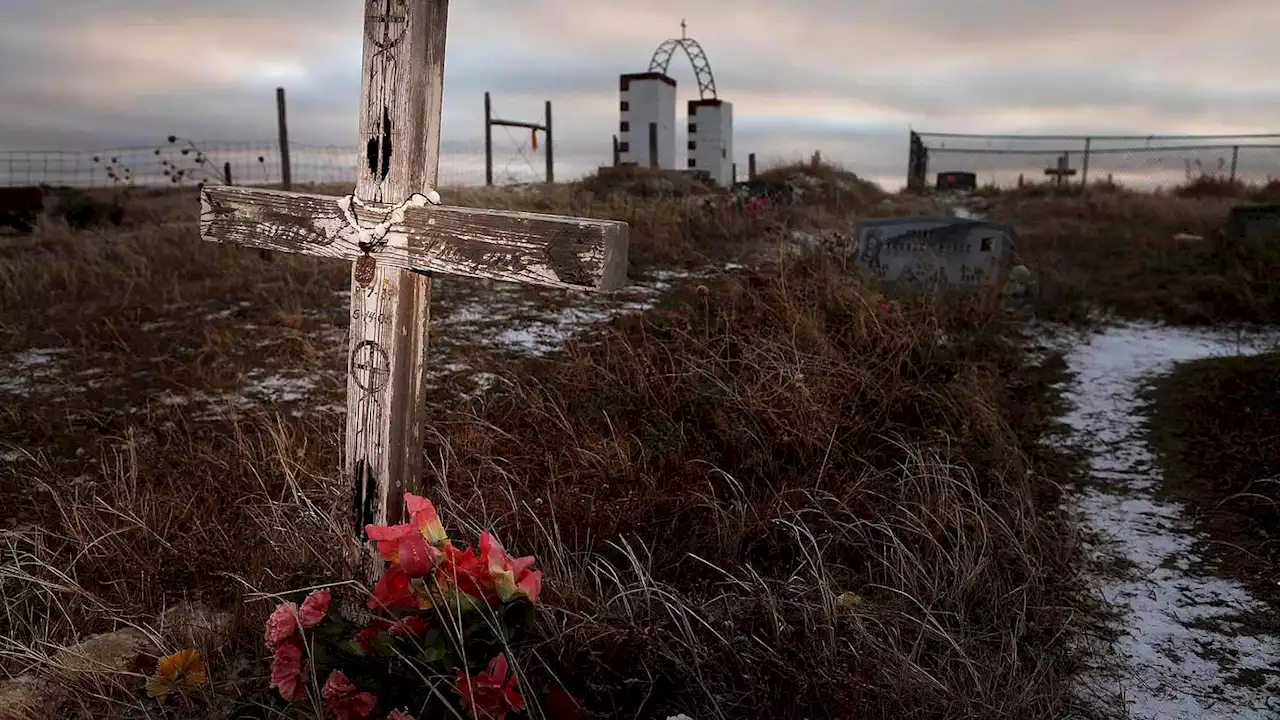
<point x="935" y="253"/>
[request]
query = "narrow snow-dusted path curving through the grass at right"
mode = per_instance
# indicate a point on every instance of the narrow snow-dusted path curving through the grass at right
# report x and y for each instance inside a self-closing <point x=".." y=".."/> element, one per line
<point x="1182" y="646"/>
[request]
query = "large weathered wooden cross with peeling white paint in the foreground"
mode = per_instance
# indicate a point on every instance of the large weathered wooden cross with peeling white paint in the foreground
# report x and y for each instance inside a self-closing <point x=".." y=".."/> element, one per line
<point x="395" y="231"/>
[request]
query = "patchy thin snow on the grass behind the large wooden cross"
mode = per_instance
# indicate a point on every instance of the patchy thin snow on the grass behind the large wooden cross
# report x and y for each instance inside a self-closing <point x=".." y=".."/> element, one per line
<point x="469" y="321"/>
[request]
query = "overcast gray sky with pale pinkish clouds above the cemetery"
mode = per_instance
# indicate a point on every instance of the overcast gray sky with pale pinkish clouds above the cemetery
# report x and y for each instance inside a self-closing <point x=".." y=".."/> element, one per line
<point x="847" y="78"/>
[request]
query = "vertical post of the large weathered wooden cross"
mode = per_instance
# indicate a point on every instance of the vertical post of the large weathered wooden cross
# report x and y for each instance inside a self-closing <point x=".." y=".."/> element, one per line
<point x="403" y="89"/>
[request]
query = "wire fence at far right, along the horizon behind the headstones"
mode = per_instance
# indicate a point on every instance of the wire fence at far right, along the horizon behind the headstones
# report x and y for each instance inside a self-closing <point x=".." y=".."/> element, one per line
<point x="1145" y="162"/>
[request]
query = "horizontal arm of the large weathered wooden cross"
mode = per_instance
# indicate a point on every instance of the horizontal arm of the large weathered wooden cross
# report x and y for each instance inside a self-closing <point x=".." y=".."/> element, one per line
<point x="525" y="248"/>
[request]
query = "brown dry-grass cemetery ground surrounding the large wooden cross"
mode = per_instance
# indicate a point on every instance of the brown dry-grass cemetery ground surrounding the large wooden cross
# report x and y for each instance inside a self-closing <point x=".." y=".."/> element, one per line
<point x="756" y="486"/>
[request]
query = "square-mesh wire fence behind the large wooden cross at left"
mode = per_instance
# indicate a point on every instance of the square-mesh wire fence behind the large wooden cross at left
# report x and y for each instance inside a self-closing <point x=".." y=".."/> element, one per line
<point x="184" y="162"/>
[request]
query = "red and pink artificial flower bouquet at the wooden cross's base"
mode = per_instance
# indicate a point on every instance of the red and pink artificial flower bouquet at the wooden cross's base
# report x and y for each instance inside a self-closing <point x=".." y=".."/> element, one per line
<point x="445" y="622"/>
